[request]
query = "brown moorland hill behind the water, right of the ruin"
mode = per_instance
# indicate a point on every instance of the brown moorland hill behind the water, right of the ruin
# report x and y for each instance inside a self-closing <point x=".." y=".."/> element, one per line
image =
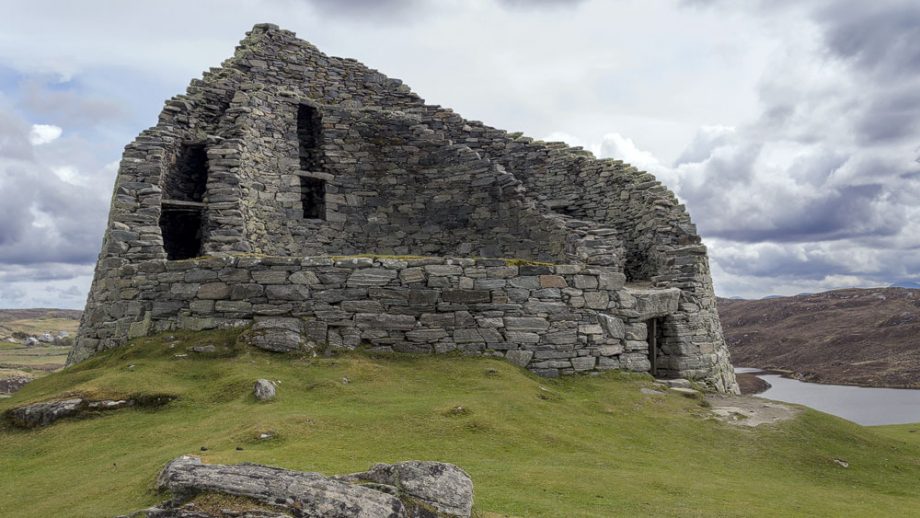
<point x="855" y="336"/>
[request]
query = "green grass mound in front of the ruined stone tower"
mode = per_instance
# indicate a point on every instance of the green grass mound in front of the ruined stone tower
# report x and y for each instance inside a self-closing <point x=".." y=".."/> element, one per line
<point x="579" y="446"/>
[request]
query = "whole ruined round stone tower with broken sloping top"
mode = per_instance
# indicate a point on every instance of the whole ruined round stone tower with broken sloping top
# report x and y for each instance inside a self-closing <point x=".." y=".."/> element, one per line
<point x="329" y="207"/>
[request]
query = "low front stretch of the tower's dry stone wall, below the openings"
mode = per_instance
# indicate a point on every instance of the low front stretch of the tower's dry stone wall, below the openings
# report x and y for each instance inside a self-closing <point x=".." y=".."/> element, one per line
<point x="553" y="319"/>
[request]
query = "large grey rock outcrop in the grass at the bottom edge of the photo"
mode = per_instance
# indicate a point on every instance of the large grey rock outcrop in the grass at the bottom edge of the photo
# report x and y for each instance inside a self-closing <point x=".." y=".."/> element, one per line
<point x="411" y="489"/>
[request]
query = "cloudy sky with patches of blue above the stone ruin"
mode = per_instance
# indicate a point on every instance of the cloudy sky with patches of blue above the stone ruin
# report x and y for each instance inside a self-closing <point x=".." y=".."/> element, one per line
<point x="791" y="129"/>
